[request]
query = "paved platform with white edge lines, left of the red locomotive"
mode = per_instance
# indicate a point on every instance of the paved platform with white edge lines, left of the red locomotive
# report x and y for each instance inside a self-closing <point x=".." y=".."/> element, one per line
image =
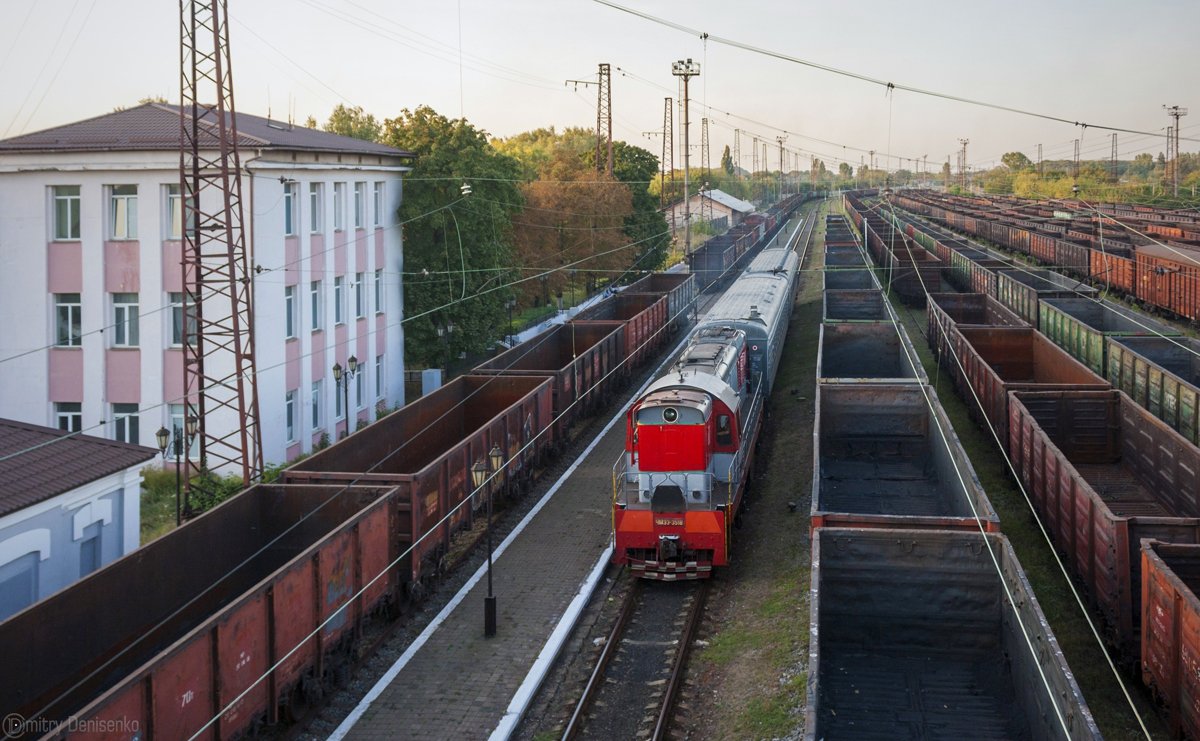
<point x="453" y="683"/>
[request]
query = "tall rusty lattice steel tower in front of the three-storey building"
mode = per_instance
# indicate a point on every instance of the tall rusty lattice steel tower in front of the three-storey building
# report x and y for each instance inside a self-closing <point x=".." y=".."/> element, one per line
<point x="219" y="354"/>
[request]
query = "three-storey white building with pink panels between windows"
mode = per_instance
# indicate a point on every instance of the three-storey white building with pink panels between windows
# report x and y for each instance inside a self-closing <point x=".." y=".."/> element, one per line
<point x="91" y="257"/>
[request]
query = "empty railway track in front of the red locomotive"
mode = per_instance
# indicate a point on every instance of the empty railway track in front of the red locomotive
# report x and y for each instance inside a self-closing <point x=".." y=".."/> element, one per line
<point x="633" y="689"/>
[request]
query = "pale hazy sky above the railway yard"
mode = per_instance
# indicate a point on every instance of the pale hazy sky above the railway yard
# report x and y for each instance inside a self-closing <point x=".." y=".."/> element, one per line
<point x="1103" y="63"/>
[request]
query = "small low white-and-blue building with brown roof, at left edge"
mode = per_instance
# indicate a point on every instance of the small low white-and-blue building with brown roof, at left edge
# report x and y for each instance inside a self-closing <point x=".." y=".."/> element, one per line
<point x="69" y="505"/>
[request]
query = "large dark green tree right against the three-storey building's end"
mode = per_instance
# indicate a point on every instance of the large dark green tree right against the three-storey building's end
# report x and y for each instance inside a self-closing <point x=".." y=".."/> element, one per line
<point x="458" y="249"/>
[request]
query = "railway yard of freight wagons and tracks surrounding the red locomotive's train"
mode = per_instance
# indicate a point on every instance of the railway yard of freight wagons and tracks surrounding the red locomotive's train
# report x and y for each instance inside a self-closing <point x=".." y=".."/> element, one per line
<point x="890" y="575"/>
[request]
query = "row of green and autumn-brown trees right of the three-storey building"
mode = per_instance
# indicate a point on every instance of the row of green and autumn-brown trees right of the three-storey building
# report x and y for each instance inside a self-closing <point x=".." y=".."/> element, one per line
<point x="495" y="228"/>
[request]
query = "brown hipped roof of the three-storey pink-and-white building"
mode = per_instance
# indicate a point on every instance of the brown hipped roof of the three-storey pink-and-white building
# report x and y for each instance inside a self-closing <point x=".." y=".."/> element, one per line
<point x="155" y="126"/>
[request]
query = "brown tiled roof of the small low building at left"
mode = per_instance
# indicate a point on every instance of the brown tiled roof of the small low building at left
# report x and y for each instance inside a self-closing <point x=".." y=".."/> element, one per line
<point x="38" y="463"/>
